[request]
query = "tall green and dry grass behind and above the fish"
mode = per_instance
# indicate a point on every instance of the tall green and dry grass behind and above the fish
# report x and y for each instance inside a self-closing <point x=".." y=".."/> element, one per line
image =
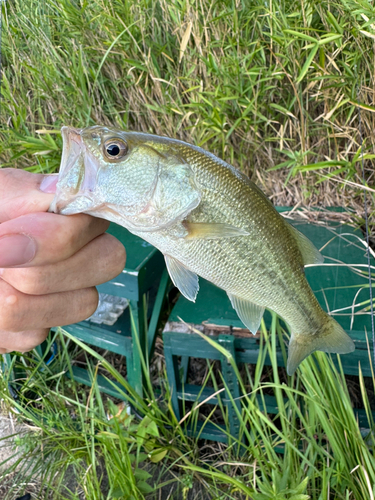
<point x="261" y="84"/>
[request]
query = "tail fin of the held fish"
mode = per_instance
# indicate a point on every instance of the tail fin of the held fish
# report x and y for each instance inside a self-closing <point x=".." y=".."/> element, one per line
<point x="331" y="338"/>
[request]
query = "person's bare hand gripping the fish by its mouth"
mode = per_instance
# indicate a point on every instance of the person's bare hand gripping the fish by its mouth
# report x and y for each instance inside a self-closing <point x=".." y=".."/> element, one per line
<point x="49" y="263"/>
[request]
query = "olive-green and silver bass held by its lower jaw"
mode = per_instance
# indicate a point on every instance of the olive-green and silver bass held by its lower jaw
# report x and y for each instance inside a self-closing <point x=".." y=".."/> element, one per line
<point x="208" y="219"/>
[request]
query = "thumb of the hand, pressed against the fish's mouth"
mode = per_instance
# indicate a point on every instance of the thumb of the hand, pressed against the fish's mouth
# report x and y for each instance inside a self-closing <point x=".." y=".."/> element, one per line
<point x="22" y="192"/>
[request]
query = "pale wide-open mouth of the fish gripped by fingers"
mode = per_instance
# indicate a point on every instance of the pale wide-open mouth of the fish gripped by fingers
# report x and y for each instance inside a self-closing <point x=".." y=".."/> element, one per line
<point x="77" y="176"/>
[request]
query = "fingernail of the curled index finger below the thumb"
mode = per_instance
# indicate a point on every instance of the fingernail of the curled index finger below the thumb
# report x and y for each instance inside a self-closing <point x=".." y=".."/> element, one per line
<point x="16" y="249"/>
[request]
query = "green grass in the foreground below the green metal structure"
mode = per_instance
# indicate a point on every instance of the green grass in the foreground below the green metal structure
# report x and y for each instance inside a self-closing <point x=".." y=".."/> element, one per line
<point x="325" y="453"/>
